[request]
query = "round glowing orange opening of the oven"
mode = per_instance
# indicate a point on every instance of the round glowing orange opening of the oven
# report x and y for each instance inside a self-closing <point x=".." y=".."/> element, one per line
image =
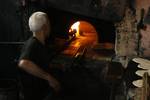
<point x="83" y="32"/>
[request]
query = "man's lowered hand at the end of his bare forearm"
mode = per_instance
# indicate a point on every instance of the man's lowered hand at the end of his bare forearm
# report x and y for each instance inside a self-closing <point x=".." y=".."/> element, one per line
<point x="54" y="83"/>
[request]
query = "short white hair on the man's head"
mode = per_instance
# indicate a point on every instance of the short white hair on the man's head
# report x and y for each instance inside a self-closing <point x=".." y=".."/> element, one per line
<point x="37" y="20"/>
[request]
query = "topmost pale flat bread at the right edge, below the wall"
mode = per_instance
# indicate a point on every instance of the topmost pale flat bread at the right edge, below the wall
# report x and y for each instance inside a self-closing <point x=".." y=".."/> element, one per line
<point x="142" y="62"/>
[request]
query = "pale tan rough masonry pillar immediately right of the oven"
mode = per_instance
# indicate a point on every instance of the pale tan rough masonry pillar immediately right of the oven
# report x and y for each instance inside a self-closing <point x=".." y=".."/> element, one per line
<point x="126" y="45"/>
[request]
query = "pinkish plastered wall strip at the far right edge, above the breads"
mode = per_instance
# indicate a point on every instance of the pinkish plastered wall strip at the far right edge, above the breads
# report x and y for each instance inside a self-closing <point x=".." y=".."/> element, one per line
<point x="145" y="33"/>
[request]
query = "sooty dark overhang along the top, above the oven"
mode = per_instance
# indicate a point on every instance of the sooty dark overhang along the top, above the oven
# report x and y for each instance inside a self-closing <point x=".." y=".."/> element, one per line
<point x="102" y="9"/>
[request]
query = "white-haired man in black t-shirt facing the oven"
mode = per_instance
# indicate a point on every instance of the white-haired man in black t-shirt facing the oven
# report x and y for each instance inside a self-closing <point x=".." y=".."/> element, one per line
<point x="35" y="58"/>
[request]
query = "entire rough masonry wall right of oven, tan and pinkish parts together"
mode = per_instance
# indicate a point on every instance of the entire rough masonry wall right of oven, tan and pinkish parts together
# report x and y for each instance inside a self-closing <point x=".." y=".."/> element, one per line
<point x="132" y="33"/>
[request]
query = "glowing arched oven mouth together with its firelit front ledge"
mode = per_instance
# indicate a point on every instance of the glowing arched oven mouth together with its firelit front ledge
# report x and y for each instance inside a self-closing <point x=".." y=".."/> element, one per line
<point x="83" y="39"/>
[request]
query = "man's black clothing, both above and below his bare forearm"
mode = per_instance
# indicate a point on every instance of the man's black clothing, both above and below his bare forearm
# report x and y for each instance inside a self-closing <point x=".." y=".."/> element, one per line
<point x="39" y="54"/>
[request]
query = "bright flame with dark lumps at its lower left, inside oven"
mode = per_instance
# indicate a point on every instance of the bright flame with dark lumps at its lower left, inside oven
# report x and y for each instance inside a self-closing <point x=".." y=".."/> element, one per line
<point x="74" y="30"/>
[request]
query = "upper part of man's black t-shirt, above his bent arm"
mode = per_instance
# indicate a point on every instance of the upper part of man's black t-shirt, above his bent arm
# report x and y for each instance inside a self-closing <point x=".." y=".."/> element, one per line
<point x="36" y="52"/>
